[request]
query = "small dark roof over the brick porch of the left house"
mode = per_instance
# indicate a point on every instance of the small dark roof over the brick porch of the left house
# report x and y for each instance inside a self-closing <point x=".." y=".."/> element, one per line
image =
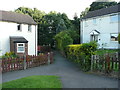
<point x="18" y="39"/>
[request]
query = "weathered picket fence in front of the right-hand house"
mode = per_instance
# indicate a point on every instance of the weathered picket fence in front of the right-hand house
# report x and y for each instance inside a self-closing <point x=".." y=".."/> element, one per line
<point x="105" y="63"/>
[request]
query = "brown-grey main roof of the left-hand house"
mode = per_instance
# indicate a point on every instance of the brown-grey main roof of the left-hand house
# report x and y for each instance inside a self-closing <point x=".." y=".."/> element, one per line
<point x="16" y="17"/>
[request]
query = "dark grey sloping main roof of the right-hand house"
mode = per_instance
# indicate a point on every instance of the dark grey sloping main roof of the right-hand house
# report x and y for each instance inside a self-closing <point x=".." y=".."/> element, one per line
<point x="103" y="11"/>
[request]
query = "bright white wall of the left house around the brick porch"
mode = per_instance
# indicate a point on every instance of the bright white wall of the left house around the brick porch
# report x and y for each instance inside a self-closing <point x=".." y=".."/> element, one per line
<point x="8" y="29"/>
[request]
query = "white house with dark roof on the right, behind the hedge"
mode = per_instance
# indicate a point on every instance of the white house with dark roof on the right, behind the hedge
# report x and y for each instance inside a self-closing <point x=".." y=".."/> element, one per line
<point x="102" y="26"/>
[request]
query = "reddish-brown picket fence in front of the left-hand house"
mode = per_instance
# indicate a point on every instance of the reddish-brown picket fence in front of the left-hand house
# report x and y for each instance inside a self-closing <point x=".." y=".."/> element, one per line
<point x="21" y="63"/>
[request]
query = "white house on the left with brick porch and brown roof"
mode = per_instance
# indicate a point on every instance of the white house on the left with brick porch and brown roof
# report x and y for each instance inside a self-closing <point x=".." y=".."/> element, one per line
<point x="18" y="33"/>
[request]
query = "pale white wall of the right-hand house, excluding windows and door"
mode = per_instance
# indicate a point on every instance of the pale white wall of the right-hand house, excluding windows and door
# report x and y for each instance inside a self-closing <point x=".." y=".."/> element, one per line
<point x="104" y="26"/>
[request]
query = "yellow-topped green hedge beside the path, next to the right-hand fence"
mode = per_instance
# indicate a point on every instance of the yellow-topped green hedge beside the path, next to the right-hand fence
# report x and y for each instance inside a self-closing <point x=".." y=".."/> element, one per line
<point x="81" y="54"/>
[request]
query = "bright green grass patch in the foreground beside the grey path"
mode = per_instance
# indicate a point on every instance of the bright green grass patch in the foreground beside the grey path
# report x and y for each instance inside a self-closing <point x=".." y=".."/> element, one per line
<point x="34" y="82"/>
